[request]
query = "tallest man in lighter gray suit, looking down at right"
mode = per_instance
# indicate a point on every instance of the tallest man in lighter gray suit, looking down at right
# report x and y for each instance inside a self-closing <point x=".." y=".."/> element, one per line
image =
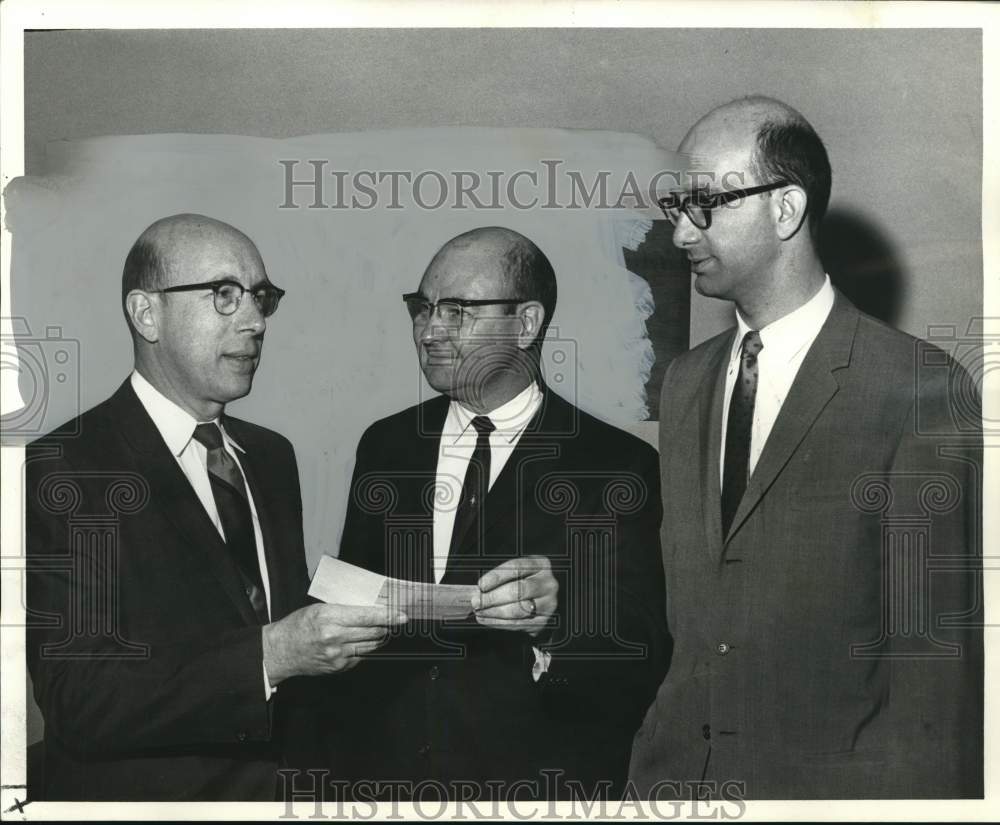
<point x="821" y="486"/>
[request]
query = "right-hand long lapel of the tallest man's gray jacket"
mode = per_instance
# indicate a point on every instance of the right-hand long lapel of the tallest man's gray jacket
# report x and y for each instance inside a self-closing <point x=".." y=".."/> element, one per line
<point x="815" y="384"/>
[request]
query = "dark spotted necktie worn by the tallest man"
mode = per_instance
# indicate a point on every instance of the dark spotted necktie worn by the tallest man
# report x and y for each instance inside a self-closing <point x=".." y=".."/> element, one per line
<point x="739" y="427"/>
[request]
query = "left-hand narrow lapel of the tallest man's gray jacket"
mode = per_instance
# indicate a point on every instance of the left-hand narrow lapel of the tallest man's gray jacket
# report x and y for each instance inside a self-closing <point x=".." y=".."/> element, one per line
<point x="711" y="399"/>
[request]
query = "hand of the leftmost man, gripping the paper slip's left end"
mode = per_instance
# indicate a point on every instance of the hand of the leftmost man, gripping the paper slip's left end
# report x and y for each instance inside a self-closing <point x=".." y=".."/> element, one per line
<point x="324" y="638"/>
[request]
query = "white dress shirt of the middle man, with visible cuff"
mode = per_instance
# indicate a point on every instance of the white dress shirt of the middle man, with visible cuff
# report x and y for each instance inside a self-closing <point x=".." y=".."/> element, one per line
<point x="458" y="442"/>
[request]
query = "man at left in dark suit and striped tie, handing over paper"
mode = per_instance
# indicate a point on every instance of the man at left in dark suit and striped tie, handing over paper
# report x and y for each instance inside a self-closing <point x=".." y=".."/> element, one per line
<point x="165" y="543"/>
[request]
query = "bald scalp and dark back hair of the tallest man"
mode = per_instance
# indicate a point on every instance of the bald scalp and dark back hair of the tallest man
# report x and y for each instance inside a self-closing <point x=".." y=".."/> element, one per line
<point x="770" y="139"/>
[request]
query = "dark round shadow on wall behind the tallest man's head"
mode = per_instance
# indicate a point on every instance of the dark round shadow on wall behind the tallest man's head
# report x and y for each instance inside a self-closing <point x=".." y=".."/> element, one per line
<point x="863" y="264"/>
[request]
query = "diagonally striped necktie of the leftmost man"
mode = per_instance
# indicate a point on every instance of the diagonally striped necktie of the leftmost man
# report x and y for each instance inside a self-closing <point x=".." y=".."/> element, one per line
<point x="234" y="511"/>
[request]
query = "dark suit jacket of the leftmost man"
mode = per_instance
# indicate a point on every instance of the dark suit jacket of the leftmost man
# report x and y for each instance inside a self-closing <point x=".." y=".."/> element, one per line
<point x="143" y="648"/>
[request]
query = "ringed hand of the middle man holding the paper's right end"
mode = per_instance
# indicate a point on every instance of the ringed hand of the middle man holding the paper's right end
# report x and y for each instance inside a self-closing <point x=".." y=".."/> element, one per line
<point x="520" y="594"/>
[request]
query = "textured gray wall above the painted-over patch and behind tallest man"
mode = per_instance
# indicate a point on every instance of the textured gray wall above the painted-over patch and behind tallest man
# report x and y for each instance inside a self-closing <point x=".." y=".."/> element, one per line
<point x="899" y="110"/>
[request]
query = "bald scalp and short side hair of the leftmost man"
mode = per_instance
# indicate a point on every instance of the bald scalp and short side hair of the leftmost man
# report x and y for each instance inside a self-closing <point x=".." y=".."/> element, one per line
<point x="157" y="256"/>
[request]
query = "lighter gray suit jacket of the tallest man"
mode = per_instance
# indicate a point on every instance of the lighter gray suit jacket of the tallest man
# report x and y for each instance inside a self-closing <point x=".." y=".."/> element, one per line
<point x="830" y="645"/>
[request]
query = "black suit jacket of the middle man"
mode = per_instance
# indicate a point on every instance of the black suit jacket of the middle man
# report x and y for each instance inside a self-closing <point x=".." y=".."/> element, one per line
<point x="456" y="704"/>
